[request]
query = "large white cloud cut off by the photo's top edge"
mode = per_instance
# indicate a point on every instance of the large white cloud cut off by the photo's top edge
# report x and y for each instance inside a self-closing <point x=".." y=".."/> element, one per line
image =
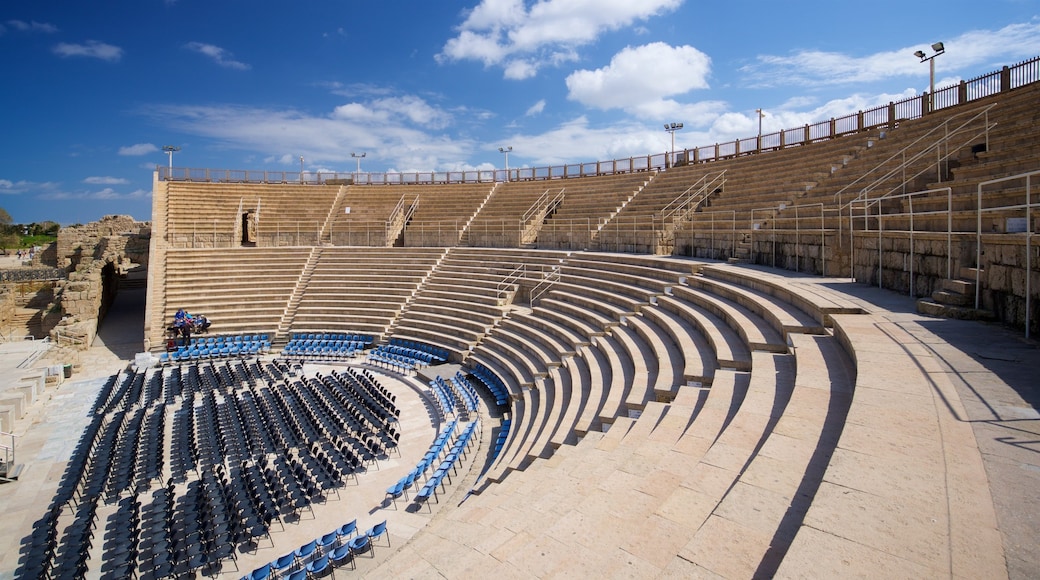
<point x="507" y="34"/>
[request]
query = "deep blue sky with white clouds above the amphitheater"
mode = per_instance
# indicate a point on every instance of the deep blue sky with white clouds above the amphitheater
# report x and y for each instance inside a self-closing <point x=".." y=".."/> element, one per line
<point x="91" y="92"/>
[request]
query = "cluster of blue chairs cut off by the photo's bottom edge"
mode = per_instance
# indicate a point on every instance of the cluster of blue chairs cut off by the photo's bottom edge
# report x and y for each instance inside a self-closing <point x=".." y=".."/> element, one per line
<point x="320" y="557"/>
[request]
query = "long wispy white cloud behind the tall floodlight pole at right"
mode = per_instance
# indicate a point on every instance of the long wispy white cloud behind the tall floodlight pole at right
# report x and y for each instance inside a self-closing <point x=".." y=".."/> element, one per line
<point x="971" y="49"/>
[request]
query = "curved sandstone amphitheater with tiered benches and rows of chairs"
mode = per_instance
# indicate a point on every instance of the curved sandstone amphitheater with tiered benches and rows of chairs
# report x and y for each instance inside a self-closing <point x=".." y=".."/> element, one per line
<point x="709" y="364"/>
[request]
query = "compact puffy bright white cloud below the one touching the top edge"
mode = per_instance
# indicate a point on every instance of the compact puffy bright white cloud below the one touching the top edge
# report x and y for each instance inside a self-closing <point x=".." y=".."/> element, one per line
<point x="628" y="83"/>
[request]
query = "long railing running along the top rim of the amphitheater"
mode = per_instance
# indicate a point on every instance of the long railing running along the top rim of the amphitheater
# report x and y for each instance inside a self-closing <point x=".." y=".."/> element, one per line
<point x="1006" y="80"/>
